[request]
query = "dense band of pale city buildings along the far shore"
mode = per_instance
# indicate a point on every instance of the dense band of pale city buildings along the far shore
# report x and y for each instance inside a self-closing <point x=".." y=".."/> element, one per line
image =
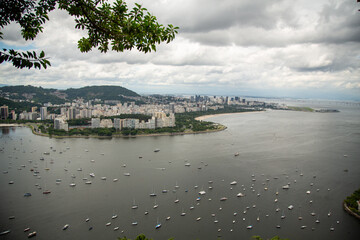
<point x="161" y="109"/>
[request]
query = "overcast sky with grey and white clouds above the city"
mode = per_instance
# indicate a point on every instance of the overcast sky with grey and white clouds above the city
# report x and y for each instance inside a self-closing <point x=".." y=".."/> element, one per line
<point x="300" y="48"/>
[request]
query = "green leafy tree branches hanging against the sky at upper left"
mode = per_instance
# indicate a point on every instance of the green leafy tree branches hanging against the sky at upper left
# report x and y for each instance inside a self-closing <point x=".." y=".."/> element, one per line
<point x="109" y="26"/>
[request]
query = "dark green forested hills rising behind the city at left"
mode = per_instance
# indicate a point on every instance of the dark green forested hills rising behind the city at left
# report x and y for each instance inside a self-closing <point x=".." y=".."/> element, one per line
<point x="43" y="95"/>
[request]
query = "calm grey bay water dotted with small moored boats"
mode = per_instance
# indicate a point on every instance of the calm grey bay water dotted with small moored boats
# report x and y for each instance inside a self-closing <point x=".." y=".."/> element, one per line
<point x="316" y="152"/>
